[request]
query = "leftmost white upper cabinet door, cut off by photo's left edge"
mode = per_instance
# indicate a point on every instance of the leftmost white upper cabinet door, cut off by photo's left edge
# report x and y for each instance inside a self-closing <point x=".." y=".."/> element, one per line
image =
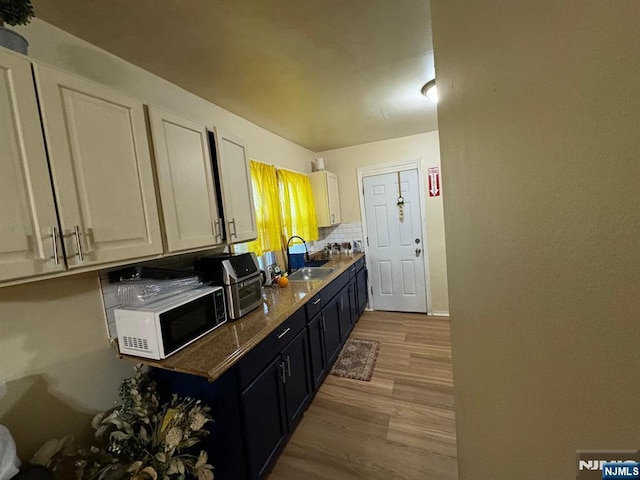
<point x="28" y="222"/>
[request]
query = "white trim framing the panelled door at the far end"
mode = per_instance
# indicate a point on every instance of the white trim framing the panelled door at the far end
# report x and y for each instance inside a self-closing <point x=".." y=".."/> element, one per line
<point x="392" y="168"/>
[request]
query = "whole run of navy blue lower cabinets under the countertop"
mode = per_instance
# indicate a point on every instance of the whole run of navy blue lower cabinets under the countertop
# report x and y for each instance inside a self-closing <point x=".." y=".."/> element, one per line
<point x="257" y="403"/>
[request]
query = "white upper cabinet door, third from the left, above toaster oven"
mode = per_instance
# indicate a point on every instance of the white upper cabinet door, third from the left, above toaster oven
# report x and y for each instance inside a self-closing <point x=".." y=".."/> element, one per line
<point x="185" y="178"/>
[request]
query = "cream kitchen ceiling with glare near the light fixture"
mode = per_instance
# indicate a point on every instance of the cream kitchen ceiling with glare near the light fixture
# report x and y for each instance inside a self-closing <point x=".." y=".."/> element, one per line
<point x="321" y="73"/>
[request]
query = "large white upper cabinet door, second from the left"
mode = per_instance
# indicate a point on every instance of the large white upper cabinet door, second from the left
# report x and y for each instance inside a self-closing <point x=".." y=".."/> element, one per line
<point x="101" y="170"/>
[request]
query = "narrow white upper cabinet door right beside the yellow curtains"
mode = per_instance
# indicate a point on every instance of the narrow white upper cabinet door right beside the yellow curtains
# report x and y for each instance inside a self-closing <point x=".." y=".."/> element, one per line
<point x="237" y="193"/>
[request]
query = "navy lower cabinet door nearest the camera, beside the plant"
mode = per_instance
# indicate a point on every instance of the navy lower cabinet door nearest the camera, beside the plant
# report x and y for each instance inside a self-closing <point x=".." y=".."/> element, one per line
<point x="265" y="422"/>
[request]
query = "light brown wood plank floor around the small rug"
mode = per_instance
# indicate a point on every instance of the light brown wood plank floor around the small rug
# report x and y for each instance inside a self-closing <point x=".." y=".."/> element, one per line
<point x="400" y="425"/>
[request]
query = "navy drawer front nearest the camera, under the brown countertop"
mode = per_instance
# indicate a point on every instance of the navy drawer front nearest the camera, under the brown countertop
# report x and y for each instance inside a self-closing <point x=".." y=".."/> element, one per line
<point x="254" y="361"/>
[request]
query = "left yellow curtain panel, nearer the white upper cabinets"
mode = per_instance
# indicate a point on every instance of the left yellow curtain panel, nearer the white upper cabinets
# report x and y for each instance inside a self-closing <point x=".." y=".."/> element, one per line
<point x="266" y="202"/>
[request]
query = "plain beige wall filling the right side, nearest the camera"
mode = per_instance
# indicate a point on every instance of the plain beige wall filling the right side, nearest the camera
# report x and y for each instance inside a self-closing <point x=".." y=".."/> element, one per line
<point x="539" y="127"/>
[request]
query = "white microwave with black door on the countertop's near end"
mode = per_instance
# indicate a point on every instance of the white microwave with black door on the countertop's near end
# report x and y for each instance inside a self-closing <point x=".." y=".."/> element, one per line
<point x="161" y="328"/>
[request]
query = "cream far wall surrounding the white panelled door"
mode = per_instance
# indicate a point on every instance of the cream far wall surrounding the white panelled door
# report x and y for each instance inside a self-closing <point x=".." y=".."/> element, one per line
<point x="344" y="162"/>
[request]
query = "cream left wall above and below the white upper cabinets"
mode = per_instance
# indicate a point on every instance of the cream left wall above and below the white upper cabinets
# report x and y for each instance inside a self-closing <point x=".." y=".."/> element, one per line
<point x="54" y="356"/>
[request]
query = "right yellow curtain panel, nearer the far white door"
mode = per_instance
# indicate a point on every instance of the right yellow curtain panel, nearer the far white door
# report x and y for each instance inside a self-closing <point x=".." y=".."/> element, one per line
<point x="298" y="209"/>
